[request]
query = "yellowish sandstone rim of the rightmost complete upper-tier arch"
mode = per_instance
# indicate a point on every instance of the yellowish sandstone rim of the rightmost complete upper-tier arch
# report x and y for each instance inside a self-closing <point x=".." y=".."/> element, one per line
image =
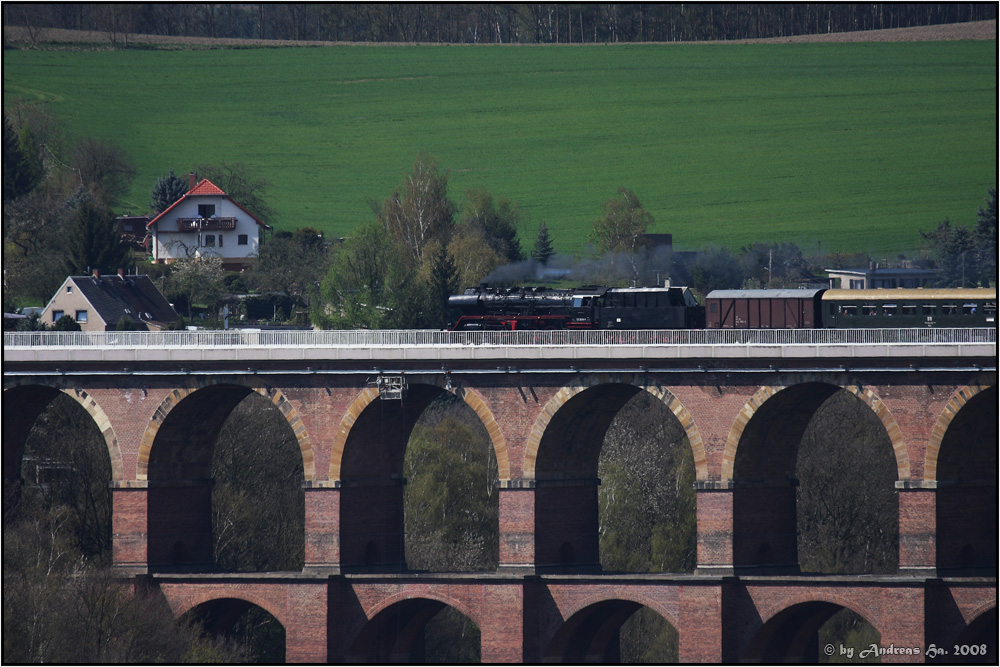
<point x="864" y="394"/>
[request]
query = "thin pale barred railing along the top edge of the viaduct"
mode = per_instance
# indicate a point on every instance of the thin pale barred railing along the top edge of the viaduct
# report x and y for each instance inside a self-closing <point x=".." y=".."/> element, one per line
<point x="427" y="337"/>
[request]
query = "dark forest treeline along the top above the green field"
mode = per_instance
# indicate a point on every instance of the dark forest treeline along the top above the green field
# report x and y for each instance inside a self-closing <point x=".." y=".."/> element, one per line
<point x="487" y="23"/>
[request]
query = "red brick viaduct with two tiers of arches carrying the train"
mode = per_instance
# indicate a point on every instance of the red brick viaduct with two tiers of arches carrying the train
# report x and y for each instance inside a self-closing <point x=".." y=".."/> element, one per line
<point x="545" y="408"/>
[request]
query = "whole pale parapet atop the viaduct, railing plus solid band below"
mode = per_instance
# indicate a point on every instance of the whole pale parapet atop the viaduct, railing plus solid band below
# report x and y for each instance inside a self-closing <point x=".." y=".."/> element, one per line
<point x="493" y="347"/>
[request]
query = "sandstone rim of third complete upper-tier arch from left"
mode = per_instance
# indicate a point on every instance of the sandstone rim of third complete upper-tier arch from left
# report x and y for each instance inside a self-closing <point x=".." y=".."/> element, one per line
<point x="660" y="392"/>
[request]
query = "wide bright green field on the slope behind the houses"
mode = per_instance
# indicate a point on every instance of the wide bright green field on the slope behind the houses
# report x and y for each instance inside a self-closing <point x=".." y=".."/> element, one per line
<point x="839" y="147"/>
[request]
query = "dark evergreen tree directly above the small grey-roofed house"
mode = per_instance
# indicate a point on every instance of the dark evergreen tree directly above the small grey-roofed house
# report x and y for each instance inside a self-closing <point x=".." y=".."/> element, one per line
<point x="95" y="243"/>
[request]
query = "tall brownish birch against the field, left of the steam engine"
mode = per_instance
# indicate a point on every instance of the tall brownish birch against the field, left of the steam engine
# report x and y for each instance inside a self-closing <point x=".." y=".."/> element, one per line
<point x="419" y="211"/>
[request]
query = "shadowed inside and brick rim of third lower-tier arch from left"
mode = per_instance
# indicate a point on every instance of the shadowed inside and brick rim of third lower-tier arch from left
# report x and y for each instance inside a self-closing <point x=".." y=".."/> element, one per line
<point x="592" y="633"/>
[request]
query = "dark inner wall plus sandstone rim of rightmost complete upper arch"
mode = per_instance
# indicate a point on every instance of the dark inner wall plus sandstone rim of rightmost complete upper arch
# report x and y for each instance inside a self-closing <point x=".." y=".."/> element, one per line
<point x="760" y="461"/>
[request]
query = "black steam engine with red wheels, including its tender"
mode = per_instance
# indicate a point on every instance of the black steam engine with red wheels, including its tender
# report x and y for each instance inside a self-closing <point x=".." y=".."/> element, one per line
<point x="591" y="307"/>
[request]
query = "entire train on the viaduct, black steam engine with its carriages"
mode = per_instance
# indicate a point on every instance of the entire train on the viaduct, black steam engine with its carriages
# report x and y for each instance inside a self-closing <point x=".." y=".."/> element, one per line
<point x="595" y="307"/>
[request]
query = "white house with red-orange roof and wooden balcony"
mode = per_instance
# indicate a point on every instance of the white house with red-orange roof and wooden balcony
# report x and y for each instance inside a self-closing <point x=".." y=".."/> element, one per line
<point x="206" y="222"/>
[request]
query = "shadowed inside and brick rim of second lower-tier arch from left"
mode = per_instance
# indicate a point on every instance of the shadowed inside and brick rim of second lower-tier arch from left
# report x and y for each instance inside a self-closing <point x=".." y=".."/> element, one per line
<point x="396" y="631"/>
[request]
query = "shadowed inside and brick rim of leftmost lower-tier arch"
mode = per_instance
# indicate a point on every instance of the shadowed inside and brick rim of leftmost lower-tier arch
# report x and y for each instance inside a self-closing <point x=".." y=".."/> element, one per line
<point x="265" y="634"/>
